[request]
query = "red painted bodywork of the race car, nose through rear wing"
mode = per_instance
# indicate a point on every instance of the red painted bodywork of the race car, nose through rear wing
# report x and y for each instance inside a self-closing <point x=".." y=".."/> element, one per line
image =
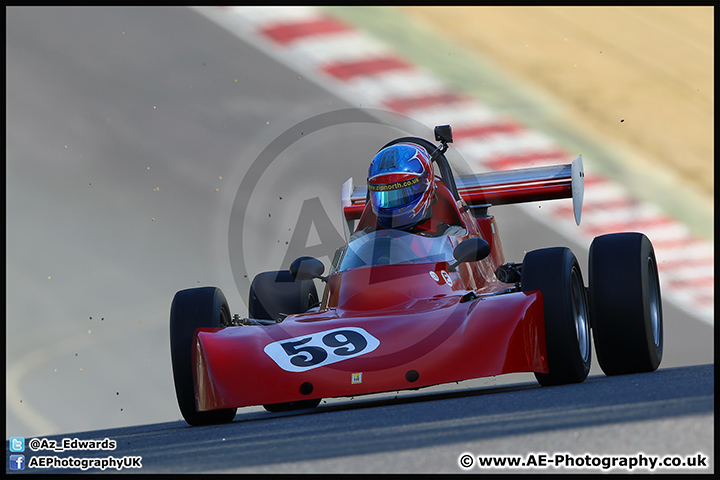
<point x="397" y="326"/>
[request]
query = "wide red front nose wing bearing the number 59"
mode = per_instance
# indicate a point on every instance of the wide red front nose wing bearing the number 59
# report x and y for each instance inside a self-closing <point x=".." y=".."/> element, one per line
<point x="339" y="354"/>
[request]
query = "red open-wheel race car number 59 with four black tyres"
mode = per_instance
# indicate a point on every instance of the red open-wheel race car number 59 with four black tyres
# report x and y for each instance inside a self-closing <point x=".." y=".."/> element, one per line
<point x="405" y="310"/>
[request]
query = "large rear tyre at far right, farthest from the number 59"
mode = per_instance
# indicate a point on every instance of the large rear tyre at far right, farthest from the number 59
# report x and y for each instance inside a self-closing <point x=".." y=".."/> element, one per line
<point x="625" y="303"/>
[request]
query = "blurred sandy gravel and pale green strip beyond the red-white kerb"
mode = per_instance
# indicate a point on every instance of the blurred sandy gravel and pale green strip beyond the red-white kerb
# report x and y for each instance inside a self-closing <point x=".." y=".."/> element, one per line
<point x="632" y="88"/>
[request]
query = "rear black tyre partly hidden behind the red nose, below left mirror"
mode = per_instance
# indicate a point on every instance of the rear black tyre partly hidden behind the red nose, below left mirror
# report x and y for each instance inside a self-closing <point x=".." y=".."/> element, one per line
<point x="278" y="292"/>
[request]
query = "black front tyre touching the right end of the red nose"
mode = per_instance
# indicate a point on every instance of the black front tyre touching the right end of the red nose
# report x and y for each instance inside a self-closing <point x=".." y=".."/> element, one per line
<point x="555" y="272"/>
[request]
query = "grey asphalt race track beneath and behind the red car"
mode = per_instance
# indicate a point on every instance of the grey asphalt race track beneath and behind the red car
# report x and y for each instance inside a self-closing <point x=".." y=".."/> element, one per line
<point x="129" y="133"/>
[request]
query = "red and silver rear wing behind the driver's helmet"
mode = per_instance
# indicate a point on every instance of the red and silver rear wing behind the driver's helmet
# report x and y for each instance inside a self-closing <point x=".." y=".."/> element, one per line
<point x="498" y="188"/>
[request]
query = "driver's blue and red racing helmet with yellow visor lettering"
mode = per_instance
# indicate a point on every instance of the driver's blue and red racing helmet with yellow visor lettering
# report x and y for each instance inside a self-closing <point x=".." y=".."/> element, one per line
<point x="401" y="185"/>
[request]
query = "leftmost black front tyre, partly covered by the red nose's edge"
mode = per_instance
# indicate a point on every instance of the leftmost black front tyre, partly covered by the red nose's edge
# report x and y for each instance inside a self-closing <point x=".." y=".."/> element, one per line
<point x="192" y="309"/>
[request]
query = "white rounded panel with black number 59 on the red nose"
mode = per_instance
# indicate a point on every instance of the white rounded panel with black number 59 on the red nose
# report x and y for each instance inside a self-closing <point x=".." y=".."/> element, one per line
<point x="318" y="349"/>
